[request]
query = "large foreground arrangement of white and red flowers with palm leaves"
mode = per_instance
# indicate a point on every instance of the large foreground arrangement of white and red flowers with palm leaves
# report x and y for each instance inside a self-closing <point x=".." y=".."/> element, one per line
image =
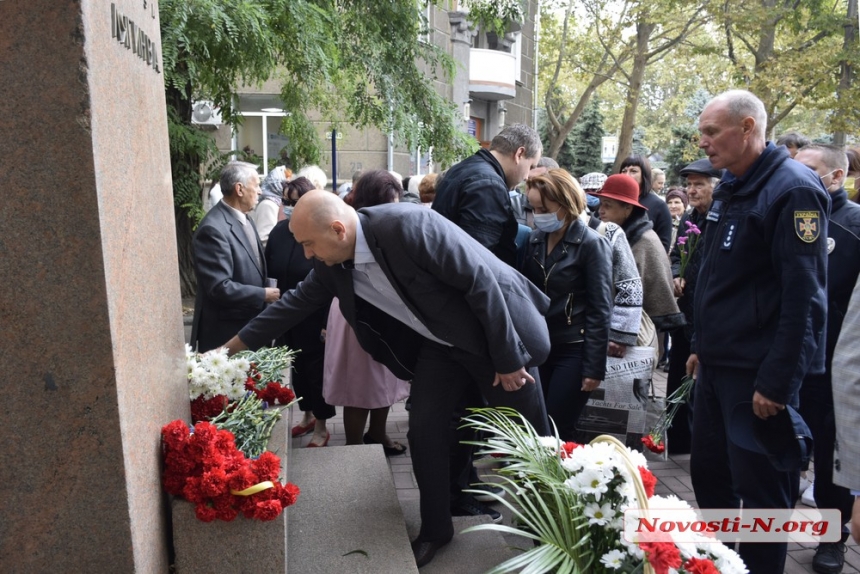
<point x="570" y="500"/>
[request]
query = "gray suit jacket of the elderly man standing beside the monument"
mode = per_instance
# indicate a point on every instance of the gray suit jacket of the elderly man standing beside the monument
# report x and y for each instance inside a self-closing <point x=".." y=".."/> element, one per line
<point x="230" y="285"/>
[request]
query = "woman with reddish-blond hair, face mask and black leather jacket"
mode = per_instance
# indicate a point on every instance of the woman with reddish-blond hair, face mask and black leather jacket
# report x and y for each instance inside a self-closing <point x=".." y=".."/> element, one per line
<point x="573" y="265"/>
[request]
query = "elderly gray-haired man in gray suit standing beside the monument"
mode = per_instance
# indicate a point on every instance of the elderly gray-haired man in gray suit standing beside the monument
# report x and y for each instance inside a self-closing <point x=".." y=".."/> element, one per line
<point x="229" y="262"/>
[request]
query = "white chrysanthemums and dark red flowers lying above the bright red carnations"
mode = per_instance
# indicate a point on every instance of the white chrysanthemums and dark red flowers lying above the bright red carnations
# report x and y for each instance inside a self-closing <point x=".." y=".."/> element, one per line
<point x="216" y="380"/>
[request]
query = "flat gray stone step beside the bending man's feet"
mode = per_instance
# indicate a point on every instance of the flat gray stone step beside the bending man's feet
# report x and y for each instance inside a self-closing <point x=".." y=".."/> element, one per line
<point x="347" y="518"/>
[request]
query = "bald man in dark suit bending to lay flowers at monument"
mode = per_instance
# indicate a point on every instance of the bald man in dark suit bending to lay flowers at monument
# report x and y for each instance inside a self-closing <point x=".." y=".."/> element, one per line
<point x="432" y="305"/>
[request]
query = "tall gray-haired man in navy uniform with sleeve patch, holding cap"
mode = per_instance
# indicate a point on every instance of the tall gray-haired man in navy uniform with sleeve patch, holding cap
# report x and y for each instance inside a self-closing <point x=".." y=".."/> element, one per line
<point x="760" y="309"/>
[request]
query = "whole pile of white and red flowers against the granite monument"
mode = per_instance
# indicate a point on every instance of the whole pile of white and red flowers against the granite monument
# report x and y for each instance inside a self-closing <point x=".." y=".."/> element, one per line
<point x="221" y="463"/>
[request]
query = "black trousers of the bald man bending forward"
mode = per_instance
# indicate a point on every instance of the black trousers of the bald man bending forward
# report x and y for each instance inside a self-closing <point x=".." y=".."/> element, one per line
<point x="443" y="377"/>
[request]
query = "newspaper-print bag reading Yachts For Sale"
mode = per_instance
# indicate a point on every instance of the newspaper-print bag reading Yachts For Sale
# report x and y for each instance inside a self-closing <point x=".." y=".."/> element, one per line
<point x="618" y="406"/>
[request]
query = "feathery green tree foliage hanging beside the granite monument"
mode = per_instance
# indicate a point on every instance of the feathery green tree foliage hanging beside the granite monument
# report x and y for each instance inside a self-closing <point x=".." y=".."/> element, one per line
<point x="348" y="61"/>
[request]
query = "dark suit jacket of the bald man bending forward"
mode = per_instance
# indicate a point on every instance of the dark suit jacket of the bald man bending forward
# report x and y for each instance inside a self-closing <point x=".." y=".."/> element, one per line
<point x="459" y="290"/>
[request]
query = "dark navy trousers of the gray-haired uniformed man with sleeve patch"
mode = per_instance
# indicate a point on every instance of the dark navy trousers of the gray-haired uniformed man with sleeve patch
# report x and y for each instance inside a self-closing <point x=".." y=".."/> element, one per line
<point x="724" y="474"/>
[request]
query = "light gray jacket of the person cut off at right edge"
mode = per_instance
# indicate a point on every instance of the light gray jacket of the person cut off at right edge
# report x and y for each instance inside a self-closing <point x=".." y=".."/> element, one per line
<point x="846" y="398"/>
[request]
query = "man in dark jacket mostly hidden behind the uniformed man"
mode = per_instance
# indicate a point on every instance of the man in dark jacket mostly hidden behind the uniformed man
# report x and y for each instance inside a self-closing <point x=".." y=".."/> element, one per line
<point x="816" y="393"/>
